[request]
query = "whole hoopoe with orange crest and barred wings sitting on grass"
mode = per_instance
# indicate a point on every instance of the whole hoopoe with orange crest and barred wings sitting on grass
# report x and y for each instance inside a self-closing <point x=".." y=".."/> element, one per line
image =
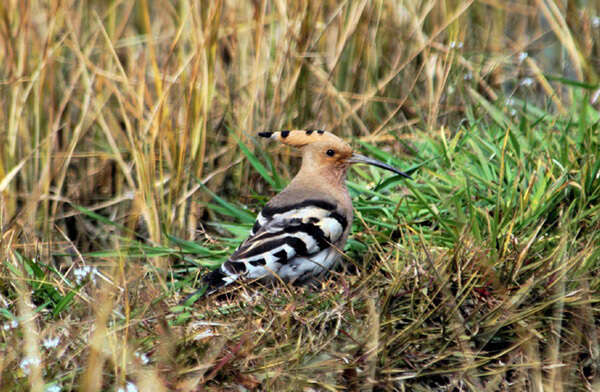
<point x="300" y="232"/>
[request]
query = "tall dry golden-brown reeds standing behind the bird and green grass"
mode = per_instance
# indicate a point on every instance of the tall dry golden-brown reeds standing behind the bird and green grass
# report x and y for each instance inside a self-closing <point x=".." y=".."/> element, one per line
<point x="122" y="106"/>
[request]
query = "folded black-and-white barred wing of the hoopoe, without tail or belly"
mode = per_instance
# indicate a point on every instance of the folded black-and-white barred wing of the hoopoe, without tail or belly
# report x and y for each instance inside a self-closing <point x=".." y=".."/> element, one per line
<point x="282" y="233"/>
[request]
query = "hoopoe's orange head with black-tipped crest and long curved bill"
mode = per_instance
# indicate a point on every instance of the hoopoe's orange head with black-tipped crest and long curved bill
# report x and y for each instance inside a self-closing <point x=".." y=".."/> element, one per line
<point x="324" y="152"/>
